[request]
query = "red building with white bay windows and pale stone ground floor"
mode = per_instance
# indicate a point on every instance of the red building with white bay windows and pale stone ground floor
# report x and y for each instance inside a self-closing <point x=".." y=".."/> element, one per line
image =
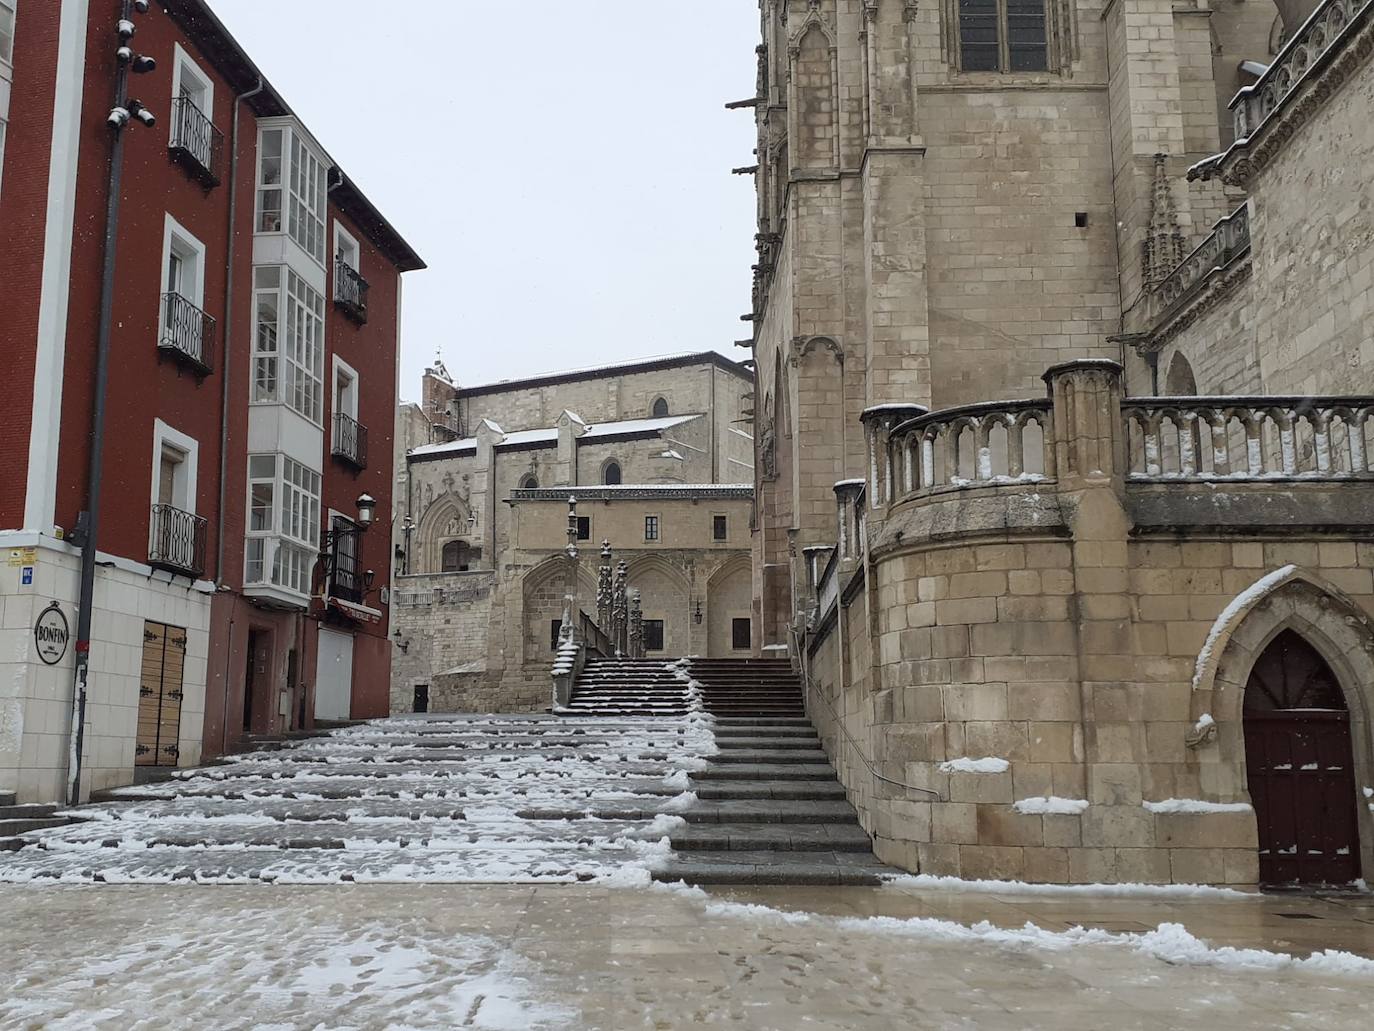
<point x="249" y="402"/>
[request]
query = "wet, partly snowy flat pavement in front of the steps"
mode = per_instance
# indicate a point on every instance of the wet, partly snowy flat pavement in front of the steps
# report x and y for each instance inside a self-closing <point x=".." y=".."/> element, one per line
<point x="592" y="957"/>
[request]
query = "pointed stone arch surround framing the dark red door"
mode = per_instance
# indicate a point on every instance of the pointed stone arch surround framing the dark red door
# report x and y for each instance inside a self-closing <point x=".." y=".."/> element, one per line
<point x="1339" y="630"/>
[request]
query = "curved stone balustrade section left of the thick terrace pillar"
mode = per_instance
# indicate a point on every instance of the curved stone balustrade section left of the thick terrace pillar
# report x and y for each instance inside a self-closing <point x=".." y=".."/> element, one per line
<point x="990" y="445"/>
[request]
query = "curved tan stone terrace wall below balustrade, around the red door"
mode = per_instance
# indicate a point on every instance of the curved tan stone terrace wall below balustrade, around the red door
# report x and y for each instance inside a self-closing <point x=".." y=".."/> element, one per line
<point x="1077" y="630"/>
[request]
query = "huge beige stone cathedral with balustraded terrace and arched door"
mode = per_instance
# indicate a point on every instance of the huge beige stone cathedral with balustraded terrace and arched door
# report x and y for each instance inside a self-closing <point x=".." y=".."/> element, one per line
<point x="1064" y="336"/>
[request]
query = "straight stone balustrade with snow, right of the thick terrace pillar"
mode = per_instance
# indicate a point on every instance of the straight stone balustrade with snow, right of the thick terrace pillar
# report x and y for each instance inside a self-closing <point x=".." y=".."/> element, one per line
<point x="1250" y="438"/>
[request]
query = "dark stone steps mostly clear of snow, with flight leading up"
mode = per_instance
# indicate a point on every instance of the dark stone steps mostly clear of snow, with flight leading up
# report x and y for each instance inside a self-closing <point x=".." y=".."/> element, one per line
<point x="769" y="808"/>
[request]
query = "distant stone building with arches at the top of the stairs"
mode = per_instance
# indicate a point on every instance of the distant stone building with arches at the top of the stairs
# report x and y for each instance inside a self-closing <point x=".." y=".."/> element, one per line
<point x="656" y="461"/>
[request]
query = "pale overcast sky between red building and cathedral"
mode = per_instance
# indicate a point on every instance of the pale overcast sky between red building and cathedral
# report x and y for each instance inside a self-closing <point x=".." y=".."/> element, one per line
<point x="563" y="168"/>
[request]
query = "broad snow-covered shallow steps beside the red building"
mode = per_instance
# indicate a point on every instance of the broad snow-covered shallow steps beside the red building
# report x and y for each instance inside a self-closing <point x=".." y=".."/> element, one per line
<point x="464" y="799"/>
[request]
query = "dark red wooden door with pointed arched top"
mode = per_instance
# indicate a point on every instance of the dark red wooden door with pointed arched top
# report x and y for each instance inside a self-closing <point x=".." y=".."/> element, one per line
<point x="1300" y="766"/>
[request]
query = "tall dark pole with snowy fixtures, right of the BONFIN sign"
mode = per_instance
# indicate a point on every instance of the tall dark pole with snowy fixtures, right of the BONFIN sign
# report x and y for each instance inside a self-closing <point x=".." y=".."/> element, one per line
<point x="90" y="522"/>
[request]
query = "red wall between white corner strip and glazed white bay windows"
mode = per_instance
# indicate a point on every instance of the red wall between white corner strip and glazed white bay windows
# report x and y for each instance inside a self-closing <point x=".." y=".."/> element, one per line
<point x="145" y="384"/>
